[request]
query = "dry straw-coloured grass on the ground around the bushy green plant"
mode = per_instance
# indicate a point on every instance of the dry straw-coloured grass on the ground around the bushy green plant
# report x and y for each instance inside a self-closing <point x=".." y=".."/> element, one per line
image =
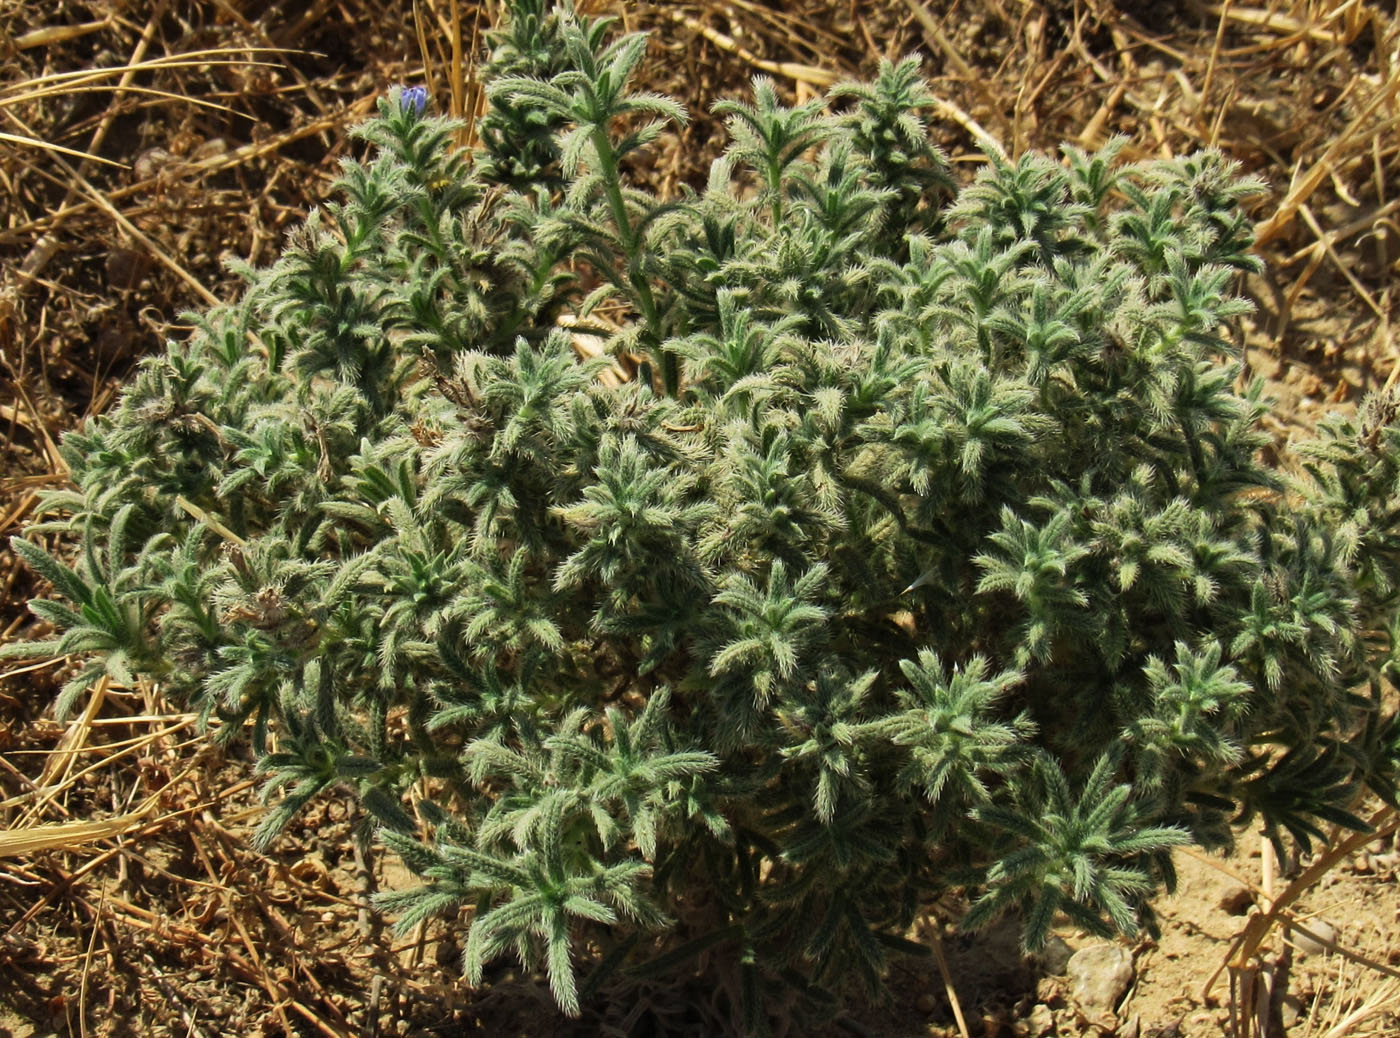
<point x="143" y="142"/>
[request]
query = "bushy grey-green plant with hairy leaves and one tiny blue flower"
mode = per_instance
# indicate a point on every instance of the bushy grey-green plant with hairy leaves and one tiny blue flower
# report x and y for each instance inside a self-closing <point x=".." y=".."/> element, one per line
<point x="905" y="541"/>
